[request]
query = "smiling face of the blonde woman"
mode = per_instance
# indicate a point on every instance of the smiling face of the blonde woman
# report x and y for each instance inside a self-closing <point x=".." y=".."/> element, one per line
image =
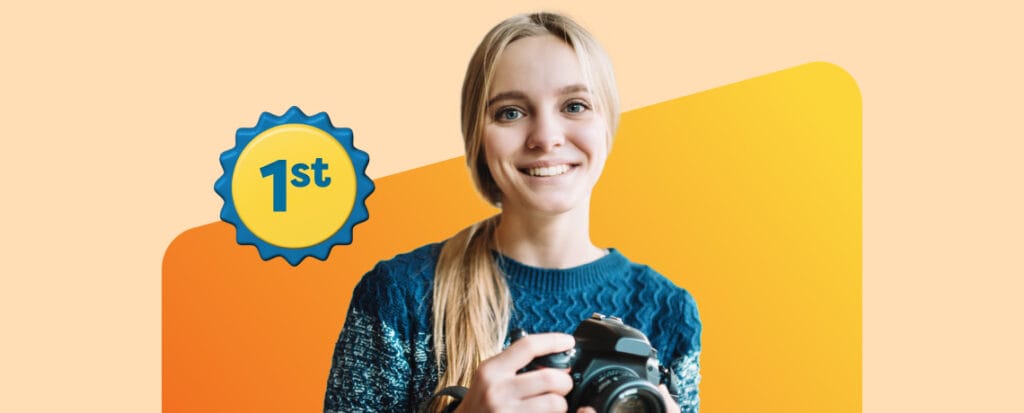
<point x="544" y="143"/>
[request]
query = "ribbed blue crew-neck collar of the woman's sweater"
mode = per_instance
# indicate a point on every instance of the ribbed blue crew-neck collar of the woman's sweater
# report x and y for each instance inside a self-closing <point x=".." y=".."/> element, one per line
<point x="543" y="280"/>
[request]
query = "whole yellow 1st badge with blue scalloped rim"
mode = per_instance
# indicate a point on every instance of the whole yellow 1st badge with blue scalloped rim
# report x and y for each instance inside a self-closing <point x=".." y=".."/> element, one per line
<point x="294" y="186"/>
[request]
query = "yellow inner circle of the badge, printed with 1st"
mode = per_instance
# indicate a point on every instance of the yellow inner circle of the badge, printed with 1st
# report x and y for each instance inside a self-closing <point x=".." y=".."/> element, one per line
<point x="294" y="186"/>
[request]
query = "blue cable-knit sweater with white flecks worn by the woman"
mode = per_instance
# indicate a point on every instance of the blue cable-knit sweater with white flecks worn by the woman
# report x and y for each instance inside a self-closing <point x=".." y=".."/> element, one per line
<point x="385" y="359"/>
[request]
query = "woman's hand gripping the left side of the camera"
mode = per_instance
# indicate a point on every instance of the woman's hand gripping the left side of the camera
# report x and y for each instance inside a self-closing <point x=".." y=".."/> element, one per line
<point x="497" y="388"/>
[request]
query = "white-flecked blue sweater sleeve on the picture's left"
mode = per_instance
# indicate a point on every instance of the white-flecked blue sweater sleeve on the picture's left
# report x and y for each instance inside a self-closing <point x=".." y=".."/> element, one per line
<point x="370" y="371"/>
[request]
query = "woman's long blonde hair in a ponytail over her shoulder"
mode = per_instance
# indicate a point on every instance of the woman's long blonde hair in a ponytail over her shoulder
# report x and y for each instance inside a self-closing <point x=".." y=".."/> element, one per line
<point x="472" y="302"/>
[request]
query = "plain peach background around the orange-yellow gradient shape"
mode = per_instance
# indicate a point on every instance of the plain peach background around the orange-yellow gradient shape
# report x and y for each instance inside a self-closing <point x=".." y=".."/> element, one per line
<point x="114" y="114"/>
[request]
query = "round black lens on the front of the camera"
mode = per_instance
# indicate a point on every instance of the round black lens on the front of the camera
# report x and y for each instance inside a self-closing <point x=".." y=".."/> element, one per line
<point x="621" y="391"/>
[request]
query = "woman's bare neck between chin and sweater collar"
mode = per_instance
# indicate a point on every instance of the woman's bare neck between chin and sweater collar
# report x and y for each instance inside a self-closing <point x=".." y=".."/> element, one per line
<point x="557" y="241"/>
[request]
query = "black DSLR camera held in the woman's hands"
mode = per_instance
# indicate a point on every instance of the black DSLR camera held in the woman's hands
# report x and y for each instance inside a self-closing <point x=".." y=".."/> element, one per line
<point x="614" y="368"/>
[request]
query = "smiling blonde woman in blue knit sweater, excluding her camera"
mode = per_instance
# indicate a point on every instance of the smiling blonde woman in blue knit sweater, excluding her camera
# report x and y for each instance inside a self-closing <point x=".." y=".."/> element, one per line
<point x="539" y="111"/>
